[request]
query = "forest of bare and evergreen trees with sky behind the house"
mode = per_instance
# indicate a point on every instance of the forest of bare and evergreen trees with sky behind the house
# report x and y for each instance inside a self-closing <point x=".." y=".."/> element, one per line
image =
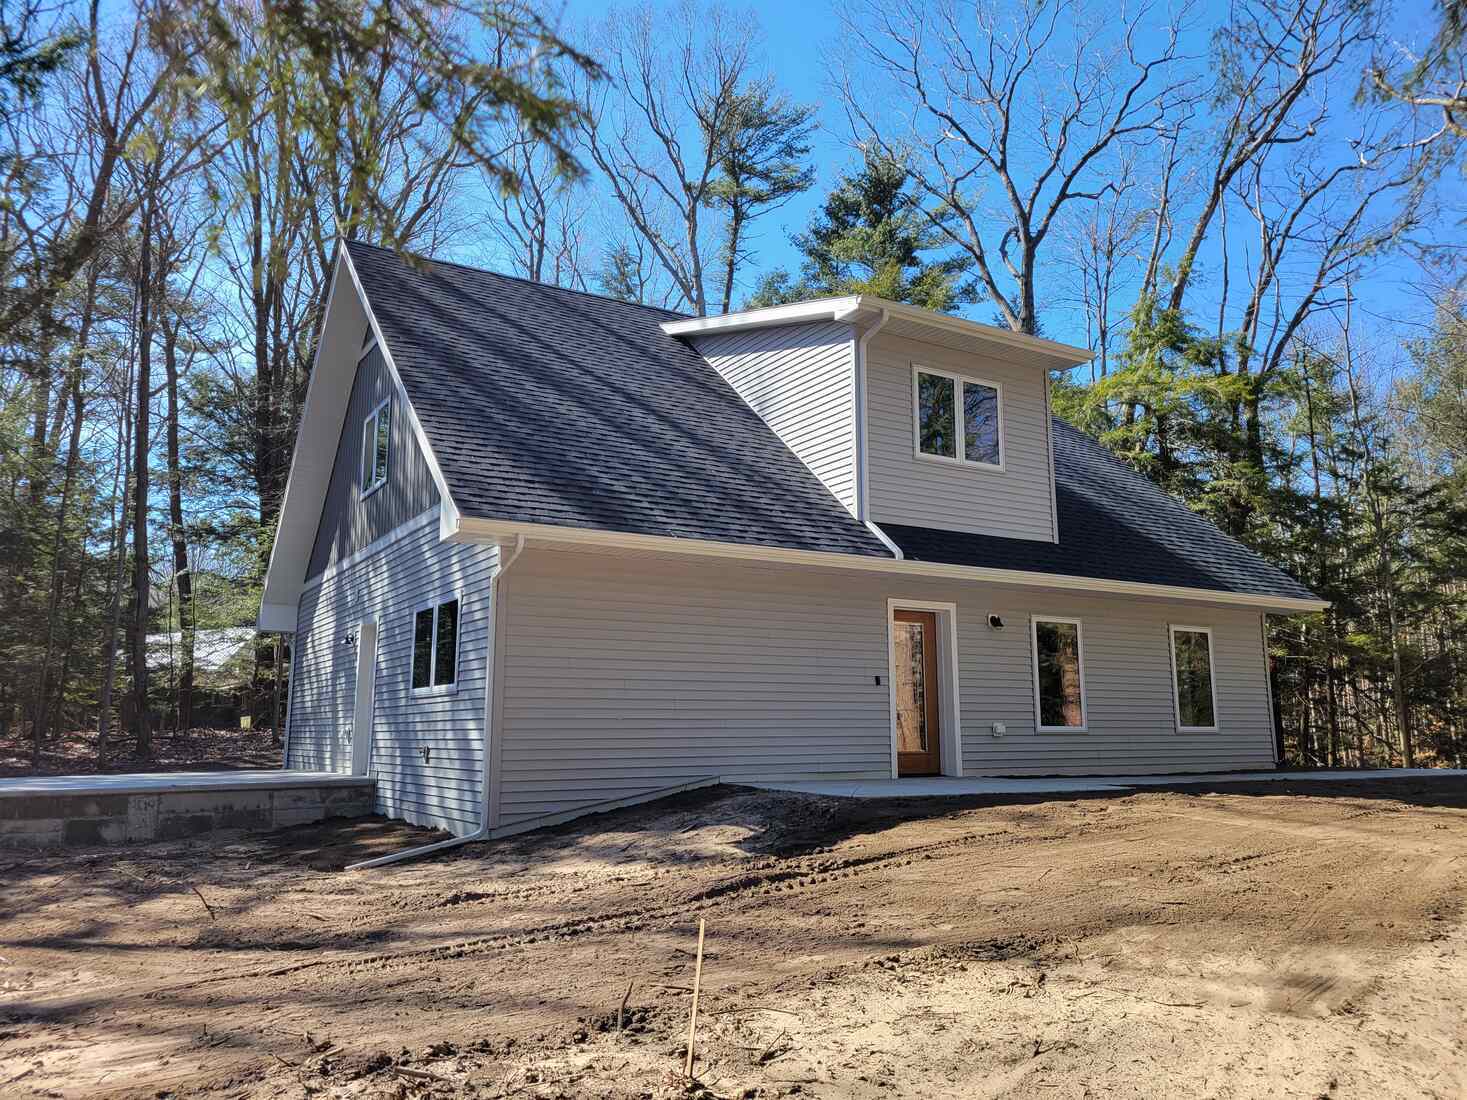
<point x="1208" y="197"/>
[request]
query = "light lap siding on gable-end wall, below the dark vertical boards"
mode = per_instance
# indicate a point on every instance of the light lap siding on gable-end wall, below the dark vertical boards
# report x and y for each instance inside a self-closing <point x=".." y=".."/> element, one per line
<point x="447" y="790"/>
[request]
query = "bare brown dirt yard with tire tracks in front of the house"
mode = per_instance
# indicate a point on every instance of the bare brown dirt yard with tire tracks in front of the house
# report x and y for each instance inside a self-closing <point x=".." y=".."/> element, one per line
<point x="1267" y="939"/>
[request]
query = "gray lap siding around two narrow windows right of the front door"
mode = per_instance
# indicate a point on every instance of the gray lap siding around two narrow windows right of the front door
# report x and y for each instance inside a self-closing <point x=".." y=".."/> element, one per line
<point x="1129" y="690"/>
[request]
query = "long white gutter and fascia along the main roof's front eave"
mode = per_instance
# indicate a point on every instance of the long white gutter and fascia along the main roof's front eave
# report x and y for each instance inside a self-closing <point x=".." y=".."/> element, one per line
<point x="475" y="530"/>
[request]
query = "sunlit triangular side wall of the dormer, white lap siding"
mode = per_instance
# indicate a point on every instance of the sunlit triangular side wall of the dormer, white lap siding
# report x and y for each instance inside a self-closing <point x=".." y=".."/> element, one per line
<point x="802" y="381"/>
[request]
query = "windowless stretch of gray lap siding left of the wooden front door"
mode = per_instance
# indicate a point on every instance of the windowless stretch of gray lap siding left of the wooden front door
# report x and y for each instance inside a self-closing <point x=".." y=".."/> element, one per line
<point x="632" y="675"/>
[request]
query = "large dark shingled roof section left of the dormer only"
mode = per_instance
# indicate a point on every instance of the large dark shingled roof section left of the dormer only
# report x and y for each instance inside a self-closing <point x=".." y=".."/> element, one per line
<point x="552" y="407"/>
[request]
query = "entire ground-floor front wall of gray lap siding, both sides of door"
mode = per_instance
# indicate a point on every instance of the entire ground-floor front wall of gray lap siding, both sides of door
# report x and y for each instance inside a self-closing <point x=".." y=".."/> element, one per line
<point x="629" y="675"/>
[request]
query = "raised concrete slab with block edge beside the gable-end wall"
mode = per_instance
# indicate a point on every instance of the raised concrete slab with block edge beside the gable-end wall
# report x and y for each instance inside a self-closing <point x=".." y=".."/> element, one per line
<point x="103" y="810"/>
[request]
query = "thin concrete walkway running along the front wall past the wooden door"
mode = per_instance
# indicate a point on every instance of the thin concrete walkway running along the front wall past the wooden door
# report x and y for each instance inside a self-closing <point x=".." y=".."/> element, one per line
<point x="948" y="787"/>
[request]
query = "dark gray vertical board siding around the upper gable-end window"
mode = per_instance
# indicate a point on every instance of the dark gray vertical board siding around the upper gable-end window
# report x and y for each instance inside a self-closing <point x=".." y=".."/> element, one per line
<point x="348" y="521"/>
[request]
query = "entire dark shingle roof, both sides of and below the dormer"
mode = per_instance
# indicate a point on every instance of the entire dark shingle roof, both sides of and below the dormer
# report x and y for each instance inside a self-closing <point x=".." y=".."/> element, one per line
<point x="552" y="407"/>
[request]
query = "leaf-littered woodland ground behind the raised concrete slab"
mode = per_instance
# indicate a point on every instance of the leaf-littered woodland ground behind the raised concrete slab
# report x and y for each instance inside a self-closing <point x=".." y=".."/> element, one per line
<point x="196" y="750"/>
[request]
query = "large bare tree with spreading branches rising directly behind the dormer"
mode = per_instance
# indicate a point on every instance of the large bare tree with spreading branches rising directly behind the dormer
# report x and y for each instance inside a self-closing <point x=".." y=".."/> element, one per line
<point x="1007" y="117"/>
